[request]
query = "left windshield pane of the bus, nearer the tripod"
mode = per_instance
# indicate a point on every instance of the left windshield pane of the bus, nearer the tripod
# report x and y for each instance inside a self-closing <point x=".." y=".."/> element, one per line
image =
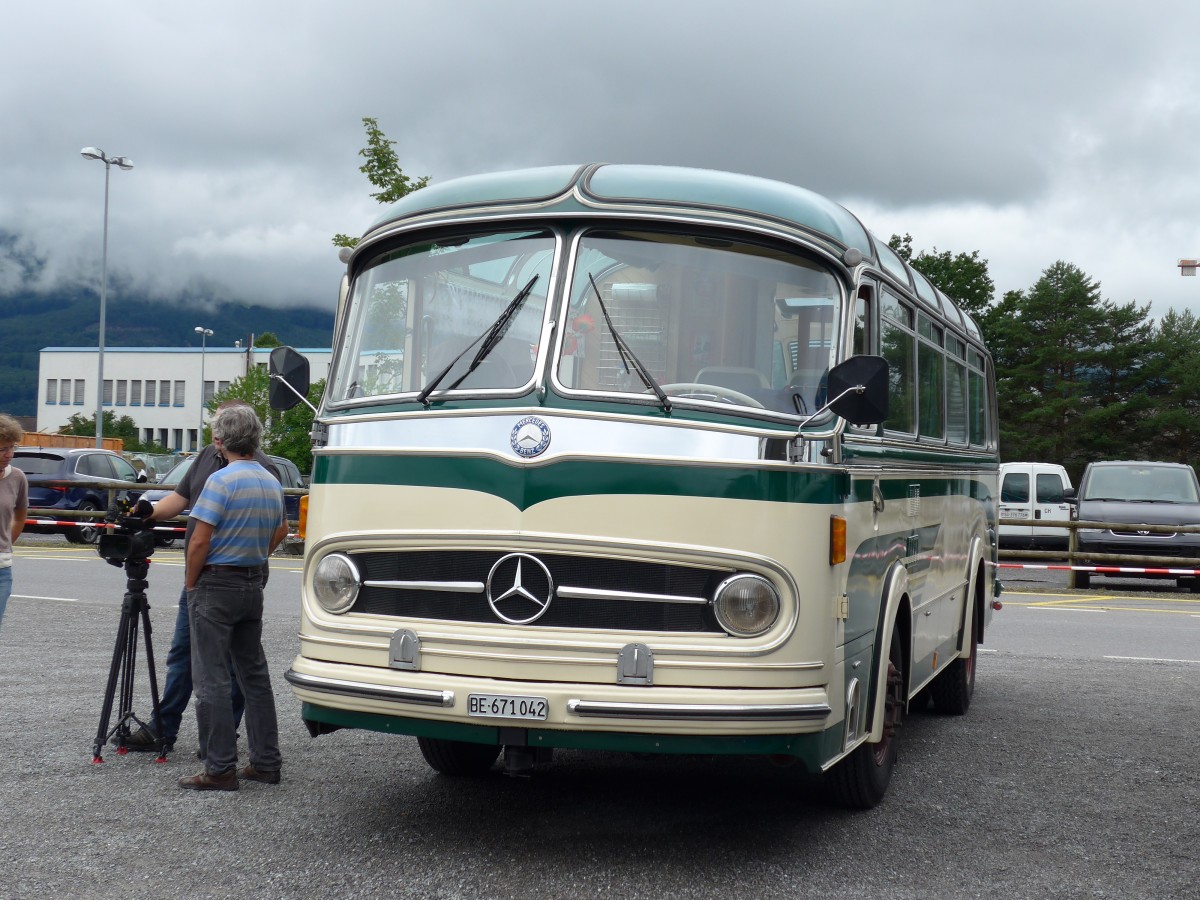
<point x="417" y="309"/>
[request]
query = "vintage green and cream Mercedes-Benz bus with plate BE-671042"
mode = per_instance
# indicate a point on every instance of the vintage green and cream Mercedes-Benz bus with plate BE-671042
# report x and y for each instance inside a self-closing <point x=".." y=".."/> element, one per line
<point x="644" y="459"/>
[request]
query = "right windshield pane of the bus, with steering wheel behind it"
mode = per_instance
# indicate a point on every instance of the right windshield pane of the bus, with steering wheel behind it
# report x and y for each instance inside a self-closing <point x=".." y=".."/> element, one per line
<point x="712" y="320"/>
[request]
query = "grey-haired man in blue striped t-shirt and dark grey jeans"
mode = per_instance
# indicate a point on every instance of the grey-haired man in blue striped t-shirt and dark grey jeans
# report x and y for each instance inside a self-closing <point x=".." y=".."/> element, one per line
<point x="239" y="523"/>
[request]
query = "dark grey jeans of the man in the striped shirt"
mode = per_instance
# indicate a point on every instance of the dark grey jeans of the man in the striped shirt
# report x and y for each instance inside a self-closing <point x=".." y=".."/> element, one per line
<point x="226" y="610"/>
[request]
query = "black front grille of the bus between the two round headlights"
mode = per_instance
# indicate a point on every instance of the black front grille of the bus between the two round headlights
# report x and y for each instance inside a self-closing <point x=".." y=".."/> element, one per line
<point x="440" y="571"/>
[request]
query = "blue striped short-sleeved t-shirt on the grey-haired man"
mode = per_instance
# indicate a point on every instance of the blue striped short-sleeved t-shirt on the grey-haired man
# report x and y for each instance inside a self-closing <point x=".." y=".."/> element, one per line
<point x="244" y="505"/>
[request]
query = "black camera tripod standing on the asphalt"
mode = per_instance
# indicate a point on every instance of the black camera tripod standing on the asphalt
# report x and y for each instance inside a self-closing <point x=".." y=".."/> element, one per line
<point x="135" y="613"/>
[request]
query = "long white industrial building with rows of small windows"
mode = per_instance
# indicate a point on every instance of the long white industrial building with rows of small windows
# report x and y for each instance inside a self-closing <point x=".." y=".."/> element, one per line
<point x="159" y="388"/>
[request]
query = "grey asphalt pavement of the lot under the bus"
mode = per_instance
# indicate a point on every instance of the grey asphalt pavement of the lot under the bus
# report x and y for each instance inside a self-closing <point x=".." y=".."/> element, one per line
<point x="1071" y="777"/>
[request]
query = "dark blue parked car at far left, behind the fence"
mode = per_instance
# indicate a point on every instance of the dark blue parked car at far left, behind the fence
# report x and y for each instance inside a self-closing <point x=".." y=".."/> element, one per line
<point x="93" y="465"/>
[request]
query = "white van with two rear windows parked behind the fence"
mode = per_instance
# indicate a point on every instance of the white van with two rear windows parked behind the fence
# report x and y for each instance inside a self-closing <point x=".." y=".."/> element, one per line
<point x="1037" y="491"/>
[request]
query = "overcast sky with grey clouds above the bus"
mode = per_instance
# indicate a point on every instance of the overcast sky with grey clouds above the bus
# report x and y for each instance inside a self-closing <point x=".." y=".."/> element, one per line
<point x="1029" y="131"/>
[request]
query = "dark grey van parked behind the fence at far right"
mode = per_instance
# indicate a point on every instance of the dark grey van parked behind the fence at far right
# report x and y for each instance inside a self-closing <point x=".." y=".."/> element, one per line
<point x="1132" y="494"/>
